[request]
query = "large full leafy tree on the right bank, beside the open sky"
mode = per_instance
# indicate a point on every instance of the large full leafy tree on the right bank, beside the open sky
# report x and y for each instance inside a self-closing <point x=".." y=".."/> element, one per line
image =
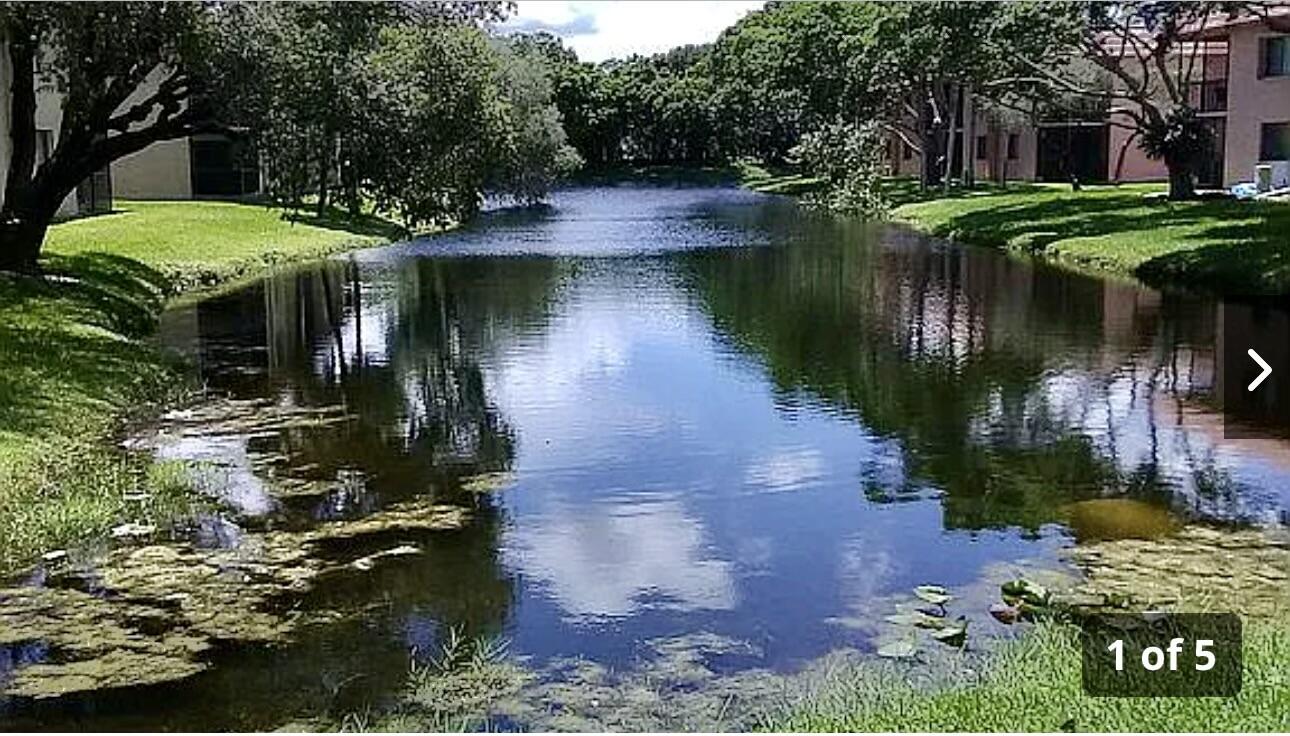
<point x="910" y="68"/>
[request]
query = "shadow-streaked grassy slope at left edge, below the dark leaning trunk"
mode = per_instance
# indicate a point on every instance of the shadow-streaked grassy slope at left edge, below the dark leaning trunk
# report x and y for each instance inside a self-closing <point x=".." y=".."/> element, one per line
<point x="74" y="364"/>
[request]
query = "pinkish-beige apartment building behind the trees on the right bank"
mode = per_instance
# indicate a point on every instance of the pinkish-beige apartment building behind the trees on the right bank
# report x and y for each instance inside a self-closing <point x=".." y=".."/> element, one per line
<point x="1243" y="90"/>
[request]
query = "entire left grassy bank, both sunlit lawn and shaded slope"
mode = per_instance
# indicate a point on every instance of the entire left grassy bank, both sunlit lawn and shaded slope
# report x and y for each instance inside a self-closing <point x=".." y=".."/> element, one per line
<point x="77" y="367"/>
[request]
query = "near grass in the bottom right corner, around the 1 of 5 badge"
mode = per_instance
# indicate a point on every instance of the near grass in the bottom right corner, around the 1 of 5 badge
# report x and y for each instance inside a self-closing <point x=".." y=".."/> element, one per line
<point x="1034" y="685"/>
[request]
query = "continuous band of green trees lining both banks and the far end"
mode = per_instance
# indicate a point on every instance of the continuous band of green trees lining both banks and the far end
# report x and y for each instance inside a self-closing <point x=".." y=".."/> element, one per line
<point x="422" y="110"/>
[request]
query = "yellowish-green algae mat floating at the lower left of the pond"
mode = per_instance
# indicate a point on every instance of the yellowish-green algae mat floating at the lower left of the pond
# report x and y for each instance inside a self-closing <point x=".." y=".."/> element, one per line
<point x="157" y="612"/>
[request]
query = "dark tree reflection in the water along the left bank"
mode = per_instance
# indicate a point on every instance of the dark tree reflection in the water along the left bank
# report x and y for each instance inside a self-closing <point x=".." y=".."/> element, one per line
<point x="403" y="355"/>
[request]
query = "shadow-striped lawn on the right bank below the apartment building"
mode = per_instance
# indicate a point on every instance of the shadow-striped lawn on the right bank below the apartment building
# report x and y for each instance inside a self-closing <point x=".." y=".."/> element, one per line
<point x="1227" y="247"/>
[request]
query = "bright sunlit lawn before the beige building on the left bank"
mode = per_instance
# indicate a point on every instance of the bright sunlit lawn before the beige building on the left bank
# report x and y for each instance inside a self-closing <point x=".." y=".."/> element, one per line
<point x="199" y="244"/>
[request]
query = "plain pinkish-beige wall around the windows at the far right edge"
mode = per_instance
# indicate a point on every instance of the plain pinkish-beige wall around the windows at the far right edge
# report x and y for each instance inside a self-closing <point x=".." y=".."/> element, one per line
<point x="1251" y="102"/>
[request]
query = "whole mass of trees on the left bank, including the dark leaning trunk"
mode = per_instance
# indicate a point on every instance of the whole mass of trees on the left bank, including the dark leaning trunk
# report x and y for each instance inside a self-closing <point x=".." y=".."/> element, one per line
<point x="407" y="106"/>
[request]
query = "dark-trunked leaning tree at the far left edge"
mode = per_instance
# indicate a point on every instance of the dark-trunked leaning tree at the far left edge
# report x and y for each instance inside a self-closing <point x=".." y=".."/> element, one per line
<point x="130" y="75"/>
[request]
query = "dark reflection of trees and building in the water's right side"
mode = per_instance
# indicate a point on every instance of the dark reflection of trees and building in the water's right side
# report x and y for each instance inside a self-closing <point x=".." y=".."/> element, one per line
<point x="1013" y="390"/>
